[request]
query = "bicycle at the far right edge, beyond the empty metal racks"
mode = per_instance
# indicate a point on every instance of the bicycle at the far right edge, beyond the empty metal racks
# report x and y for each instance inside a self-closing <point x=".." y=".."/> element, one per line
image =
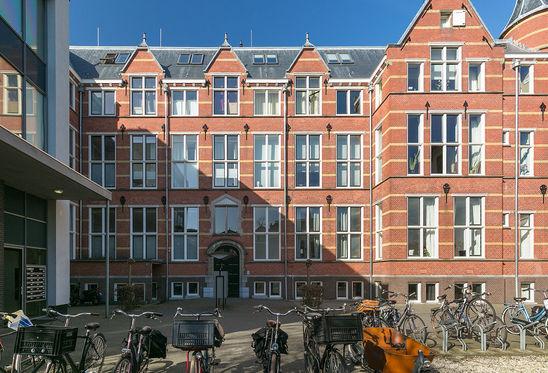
<point x="517" y="313"/>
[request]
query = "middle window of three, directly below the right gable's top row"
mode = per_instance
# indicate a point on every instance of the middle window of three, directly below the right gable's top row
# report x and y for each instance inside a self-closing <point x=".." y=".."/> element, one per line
<point x="445" y="139"/>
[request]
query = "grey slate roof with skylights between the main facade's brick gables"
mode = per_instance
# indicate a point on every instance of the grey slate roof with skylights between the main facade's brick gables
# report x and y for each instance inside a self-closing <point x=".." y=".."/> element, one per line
<point x="86" y="61"/>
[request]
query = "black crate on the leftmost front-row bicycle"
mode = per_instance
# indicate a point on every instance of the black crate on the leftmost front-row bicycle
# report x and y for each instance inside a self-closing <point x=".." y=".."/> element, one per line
<point x="45" y="340"/>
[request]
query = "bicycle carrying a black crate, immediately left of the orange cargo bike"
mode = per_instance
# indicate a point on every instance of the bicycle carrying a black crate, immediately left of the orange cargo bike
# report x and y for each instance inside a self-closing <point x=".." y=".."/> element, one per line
<point x="322" y="330"/>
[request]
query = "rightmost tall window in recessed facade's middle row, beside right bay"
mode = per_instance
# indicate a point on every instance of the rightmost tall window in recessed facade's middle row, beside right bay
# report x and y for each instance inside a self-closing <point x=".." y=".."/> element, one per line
<point x="349" y="156"/>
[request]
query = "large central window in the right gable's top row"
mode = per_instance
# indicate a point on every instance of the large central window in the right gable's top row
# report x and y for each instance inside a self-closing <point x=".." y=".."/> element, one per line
<point x="445" y="69"/>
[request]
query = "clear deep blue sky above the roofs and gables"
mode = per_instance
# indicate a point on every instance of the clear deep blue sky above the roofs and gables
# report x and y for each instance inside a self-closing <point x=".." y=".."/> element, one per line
<point x="274" y="23"/>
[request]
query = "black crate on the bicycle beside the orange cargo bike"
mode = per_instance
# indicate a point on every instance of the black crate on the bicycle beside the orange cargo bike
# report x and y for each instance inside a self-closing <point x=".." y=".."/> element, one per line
<point x="338" y="329"/>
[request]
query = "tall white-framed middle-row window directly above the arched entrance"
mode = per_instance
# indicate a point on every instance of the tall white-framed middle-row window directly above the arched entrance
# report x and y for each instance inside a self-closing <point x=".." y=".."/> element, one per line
<point x="225" y="161"/>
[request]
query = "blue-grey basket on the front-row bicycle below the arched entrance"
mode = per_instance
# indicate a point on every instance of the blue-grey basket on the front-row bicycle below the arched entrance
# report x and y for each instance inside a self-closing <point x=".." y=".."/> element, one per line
<point x="193" y="334"/>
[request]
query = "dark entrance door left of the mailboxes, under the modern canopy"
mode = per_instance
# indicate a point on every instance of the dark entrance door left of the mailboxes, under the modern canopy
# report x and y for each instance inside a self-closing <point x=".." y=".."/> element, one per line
<point x="13" y="280"/>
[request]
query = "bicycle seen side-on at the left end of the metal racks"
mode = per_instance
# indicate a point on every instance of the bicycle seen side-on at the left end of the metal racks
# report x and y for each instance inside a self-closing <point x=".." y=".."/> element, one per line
<point x="470" y="311"/>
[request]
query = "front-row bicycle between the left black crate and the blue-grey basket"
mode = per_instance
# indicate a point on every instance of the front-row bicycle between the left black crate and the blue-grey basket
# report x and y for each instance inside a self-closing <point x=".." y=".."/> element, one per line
<point x="135" y="356"/>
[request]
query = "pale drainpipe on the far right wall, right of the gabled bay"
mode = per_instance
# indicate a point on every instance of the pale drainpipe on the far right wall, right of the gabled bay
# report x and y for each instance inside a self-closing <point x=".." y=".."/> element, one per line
<point x="516" y="66"/>
